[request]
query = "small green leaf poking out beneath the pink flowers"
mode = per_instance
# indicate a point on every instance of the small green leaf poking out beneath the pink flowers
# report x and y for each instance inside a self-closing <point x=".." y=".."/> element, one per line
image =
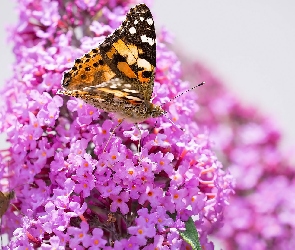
<point x="190" y="235"/>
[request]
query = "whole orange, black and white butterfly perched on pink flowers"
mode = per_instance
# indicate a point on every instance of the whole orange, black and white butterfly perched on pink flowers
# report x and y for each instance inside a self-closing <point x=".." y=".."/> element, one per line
<point x="118" y="76"/>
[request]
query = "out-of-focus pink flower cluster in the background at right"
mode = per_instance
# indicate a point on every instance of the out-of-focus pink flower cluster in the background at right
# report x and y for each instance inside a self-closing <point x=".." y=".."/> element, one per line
<point x="261" y="212"/>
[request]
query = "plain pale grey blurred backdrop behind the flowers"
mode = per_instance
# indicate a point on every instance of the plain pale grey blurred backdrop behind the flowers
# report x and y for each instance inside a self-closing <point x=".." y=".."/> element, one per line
<point x="248" y="44"/>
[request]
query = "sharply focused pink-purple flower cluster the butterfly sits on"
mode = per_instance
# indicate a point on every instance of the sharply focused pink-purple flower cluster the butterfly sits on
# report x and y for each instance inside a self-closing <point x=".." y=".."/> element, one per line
<point x="69" y="193"/>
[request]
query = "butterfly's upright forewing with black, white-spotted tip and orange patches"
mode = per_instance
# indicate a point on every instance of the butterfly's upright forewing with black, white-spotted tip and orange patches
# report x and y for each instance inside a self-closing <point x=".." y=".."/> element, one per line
<point x="131" y="50"/>
